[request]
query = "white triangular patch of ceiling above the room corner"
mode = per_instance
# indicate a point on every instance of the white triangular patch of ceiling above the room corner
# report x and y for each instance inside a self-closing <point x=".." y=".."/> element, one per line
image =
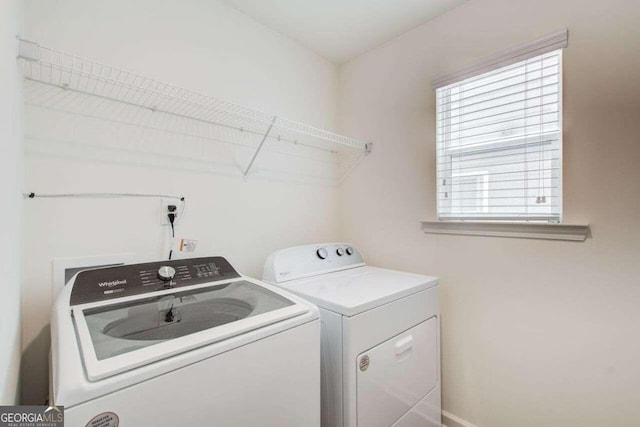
<point x="340" y="30"/>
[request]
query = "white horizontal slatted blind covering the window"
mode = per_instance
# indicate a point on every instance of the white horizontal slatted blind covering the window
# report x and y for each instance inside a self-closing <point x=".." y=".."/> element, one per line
<point x="499" y="143"/>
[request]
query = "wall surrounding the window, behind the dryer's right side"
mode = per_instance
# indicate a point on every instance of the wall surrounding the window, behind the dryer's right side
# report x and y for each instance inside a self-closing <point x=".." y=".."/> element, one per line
<point x="535" y="333"/>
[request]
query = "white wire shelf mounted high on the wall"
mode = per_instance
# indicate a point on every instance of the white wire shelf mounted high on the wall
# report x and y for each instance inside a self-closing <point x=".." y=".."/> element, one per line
<point x="61" y="70"/>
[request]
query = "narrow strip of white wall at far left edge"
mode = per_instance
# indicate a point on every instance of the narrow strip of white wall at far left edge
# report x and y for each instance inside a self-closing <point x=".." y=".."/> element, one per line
<point x="10" y="194"/>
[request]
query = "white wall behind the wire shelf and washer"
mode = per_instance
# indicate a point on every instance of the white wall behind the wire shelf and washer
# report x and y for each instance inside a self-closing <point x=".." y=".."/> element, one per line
<point x="199" y="44"/>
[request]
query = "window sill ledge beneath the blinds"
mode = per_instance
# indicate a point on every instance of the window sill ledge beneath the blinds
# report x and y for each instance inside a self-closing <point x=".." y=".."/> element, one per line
<point x="522" y="230"/>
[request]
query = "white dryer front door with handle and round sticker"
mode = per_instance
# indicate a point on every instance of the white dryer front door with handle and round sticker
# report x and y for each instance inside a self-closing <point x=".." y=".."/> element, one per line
<point x="396" y="374"/>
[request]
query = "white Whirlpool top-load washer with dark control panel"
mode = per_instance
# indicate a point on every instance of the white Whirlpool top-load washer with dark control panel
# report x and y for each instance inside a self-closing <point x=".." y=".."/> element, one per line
<point x="183" y="343"/>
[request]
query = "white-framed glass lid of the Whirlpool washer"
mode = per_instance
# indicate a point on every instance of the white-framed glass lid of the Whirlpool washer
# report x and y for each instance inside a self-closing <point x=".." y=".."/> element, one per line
<point x="116" y="336"/>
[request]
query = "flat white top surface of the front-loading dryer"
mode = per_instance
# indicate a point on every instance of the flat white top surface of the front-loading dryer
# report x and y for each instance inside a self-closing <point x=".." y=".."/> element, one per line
<point x="354" y="291"/>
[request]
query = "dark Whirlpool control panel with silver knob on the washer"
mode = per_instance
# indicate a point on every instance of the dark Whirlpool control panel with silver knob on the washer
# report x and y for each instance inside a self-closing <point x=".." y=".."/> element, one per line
<point x="127" y="280"/>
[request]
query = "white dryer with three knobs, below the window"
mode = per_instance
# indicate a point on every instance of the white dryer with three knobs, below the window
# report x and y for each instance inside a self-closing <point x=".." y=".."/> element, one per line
<point x="380" y="335"/>
